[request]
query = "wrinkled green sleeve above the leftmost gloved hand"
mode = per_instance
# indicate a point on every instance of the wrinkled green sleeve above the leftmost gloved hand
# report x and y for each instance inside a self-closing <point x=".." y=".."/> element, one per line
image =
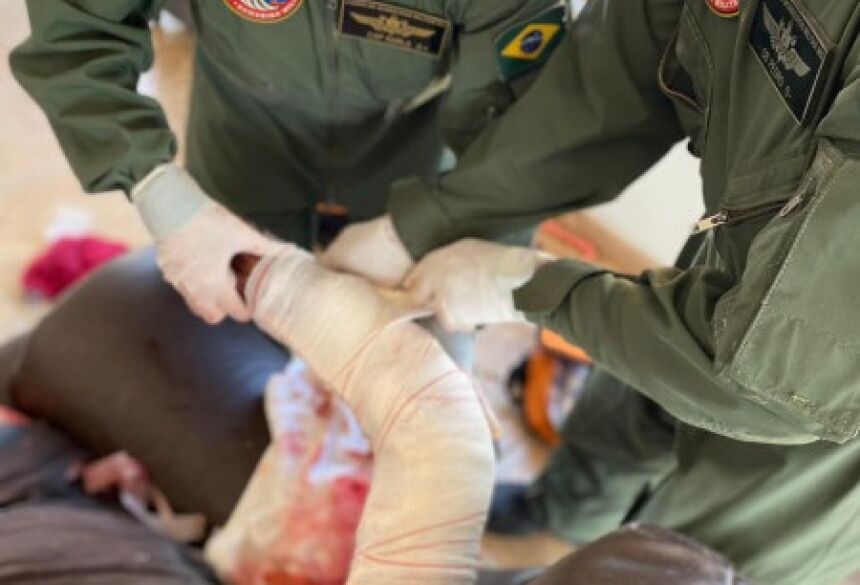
<point x="81" y="64"/>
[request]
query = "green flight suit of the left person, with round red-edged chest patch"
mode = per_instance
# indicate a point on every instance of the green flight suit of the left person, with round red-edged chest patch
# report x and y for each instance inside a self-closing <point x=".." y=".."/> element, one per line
<point x="295" y="102"/>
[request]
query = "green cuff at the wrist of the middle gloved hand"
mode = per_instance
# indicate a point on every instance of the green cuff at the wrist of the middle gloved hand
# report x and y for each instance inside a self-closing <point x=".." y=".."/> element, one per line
<point x="420" y="224"/>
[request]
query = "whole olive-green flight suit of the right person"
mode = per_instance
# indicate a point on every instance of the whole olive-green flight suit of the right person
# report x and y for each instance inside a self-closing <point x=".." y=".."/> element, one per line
<point x="751" y="344"/>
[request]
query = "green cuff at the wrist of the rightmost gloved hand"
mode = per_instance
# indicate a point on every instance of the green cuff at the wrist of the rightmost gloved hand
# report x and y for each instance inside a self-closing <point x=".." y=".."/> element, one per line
<point x="550" y="286"/>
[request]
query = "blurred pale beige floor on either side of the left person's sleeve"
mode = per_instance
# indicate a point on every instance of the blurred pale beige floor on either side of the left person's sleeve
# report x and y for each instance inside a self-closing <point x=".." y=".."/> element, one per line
<point x="38" y="192"/>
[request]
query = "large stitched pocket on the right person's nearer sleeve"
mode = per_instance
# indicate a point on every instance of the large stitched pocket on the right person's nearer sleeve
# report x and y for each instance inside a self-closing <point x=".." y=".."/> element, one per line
<point x="789" y="332"/>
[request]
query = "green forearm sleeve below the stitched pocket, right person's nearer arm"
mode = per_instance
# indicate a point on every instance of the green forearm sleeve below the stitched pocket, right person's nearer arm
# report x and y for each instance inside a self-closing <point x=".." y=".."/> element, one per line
<point x="654" y="333"/>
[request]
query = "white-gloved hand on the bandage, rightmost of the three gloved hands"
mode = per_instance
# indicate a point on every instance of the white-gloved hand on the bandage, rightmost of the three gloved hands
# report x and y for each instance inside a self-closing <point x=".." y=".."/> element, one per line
<point x="471" y="282"/>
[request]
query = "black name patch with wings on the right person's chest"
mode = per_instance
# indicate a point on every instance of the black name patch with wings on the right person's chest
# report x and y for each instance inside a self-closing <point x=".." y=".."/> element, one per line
<point x="793" y="53"/>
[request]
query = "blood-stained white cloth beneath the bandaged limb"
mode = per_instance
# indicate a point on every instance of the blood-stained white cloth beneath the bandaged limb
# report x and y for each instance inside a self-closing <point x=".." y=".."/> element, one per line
<point x="297" y="519"/>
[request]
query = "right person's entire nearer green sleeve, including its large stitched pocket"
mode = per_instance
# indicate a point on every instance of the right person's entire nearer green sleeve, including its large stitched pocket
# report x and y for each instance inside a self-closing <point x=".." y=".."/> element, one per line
<point x="790" y="377"/>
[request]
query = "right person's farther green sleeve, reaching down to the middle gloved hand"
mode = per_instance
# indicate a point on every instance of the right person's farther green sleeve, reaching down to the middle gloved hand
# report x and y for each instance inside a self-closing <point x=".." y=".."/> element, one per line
<point x="592" y="121"/>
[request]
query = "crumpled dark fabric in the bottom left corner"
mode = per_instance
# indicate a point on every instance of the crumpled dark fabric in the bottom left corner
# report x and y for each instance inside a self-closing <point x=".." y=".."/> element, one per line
<point x="51" y="533"/>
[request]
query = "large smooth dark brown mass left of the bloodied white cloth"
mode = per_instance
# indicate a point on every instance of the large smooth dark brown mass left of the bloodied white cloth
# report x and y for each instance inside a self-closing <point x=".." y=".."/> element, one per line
<point x="121" y="364"/>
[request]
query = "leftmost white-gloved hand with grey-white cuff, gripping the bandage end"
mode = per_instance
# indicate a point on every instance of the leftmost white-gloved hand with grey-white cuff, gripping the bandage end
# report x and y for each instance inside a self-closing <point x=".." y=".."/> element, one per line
<point x="195" y="239"/>
